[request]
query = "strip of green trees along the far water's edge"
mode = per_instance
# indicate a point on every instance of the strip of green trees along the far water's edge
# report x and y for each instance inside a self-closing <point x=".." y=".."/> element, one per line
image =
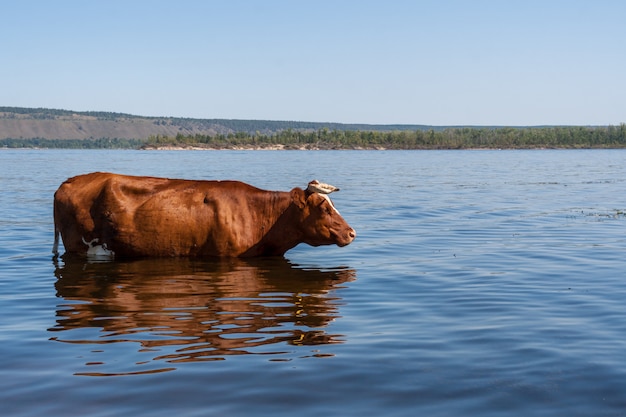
<point x="449" y="138"/>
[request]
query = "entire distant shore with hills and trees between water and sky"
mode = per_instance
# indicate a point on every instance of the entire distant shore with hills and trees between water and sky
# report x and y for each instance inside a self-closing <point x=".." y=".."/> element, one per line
<point x="52" y="128"/>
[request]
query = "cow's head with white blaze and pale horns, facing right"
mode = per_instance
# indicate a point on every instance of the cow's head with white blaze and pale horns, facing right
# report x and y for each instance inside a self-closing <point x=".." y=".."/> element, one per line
<point x="319" y="220"/>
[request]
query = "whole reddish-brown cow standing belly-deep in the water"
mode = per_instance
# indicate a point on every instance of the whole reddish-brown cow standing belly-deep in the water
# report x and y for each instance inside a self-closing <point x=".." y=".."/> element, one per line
<point x="104" y="214"/>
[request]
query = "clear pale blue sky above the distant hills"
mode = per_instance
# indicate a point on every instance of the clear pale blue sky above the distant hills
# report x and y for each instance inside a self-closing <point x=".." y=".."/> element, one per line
<point x="436" y="62"/>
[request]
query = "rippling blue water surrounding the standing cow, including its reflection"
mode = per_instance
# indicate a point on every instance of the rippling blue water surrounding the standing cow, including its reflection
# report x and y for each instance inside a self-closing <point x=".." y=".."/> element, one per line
<point x="480" y="283"/>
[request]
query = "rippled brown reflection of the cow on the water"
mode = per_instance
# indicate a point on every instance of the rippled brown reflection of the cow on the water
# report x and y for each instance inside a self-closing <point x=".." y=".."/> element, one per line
<point x="193" y="310"/>
